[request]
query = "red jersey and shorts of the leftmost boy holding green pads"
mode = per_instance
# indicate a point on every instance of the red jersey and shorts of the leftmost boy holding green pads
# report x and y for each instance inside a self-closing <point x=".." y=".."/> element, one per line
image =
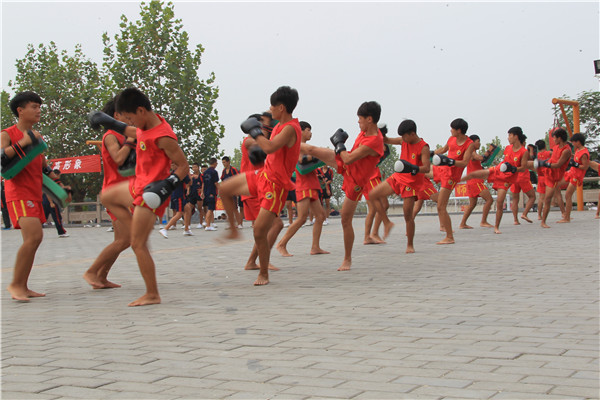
<point x="24" y="191"/>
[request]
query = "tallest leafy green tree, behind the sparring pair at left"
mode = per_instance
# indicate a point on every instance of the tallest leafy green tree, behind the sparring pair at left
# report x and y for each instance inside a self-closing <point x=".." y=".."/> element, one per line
<point x="153" y="54"/>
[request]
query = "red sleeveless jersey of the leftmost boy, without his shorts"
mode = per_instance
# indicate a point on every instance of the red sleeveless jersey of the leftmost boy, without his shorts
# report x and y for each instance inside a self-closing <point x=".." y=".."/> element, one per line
<point x="27" y="184"/>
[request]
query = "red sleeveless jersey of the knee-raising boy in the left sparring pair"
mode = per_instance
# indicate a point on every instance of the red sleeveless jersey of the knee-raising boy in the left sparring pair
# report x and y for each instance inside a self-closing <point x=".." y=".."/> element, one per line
<point x="152" y="163"/>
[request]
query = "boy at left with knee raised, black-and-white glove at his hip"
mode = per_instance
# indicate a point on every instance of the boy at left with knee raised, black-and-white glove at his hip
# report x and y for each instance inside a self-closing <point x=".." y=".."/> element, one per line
<point x="156" y="148"/>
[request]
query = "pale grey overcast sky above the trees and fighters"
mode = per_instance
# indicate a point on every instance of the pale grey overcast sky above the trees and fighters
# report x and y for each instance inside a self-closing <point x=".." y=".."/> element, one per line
<point x="496" y="65"/>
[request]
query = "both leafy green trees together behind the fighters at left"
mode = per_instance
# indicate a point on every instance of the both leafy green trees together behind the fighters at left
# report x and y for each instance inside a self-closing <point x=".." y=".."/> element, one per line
<point x="152" y="53"/>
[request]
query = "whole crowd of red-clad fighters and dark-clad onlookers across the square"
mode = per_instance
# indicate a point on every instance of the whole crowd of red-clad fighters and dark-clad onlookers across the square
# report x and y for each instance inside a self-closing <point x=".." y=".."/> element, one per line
<point x="258" y="192"/>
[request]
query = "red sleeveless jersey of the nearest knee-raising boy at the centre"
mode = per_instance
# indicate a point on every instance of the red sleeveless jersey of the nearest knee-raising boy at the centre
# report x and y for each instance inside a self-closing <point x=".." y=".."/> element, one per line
<point x="280" y="165"/>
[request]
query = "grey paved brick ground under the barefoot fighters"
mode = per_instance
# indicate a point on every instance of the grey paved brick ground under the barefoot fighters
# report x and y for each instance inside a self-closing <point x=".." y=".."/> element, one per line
<point x="494" y="317"/>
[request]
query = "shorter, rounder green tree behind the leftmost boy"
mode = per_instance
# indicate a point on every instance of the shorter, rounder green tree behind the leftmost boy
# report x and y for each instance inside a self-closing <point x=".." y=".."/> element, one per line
<point x="68" y="86"/>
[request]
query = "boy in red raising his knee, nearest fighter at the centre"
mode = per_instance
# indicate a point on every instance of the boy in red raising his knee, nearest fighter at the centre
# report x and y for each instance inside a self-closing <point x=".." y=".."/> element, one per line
<point x="273" y="183"/>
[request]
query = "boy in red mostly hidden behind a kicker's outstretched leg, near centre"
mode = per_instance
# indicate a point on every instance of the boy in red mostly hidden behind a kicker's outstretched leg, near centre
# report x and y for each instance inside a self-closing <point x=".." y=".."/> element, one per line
<point x="307" y="197"/>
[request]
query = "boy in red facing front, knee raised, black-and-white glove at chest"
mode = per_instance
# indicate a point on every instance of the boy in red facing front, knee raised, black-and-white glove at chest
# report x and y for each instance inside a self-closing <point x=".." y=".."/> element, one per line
<point x="408" y="179"/>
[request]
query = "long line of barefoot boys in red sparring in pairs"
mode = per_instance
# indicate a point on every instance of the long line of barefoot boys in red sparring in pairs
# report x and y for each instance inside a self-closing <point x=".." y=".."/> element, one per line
<point x="269" y="159"/>
